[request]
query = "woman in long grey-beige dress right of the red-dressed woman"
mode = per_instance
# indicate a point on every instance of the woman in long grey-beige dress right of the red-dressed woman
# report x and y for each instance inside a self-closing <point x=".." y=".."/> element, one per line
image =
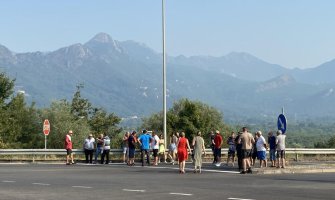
<point x="198" y="147"/>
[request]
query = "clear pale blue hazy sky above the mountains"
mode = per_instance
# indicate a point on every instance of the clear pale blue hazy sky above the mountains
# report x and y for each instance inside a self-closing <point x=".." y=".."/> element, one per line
<point x="292" y="33"/>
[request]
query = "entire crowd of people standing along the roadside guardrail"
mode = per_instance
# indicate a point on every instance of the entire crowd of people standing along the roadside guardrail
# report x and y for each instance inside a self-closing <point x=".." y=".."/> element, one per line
<point x="246" y="146"/>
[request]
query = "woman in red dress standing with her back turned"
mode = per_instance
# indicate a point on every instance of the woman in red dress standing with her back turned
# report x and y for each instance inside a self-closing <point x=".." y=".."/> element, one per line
<point x="183" y="145"/>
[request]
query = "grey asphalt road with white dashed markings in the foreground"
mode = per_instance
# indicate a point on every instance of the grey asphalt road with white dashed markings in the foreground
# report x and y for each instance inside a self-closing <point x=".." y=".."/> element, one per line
<point x="58" y="181"/>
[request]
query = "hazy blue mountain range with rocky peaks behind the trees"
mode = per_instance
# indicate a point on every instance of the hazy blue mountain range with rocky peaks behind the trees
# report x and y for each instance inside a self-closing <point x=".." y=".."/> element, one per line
<point x="125" y="77"/>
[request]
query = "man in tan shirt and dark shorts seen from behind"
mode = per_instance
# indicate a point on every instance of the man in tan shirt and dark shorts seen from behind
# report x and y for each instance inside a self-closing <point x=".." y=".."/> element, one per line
<point x="247" y="140"/>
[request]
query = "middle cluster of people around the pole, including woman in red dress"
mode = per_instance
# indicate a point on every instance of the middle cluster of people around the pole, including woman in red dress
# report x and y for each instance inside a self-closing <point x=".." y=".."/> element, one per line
<point x="178" y="151"/>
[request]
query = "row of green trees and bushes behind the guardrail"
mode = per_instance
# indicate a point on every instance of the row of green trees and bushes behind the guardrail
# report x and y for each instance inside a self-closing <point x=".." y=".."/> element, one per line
<point x="21" y="124"/>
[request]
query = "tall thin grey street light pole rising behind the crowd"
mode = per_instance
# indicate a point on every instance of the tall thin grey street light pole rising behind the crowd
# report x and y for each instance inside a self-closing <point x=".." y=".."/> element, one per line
<point x="164" y="74"/>
